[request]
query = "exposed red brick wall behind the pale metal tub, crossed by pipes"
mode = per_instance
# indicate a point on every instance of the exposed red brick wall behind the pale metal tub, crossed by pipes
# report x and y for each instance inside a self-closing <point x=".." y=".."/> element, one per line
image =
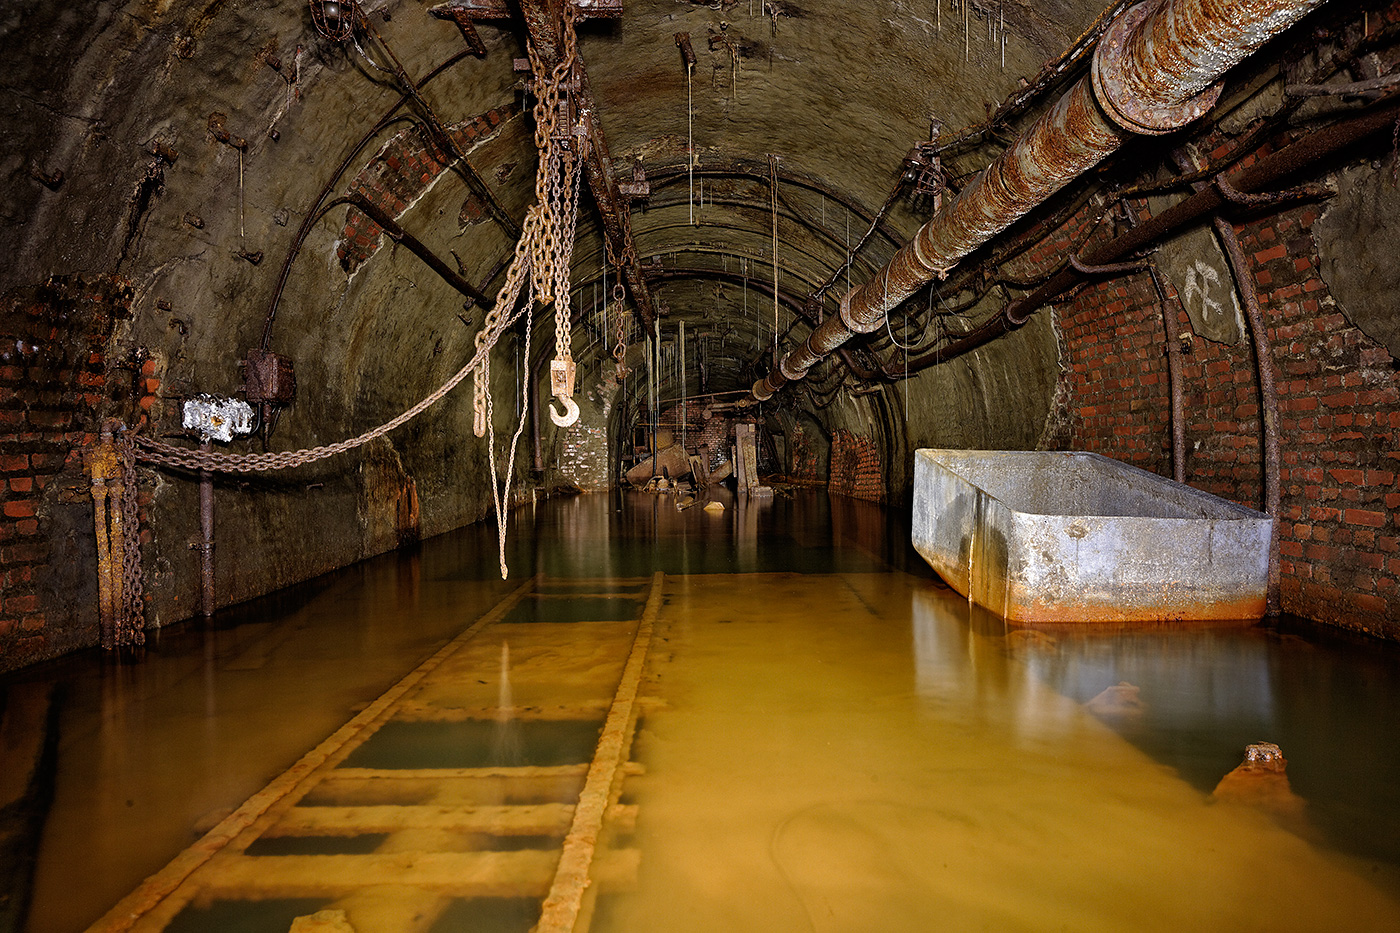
<point x="1339" y="420"/>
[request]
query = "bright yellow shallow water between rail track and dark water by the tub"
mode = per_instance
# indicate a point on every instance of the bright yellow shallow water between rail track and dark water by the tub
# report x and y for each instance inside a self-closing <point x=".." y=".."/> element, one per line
<point x="843" y="753"/>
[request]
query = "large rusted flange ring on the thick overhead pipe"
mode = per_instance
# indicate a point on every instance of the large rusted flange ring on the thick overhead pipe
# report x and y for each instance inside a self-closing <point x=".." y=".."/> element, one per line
<point x="1147" y="116"/>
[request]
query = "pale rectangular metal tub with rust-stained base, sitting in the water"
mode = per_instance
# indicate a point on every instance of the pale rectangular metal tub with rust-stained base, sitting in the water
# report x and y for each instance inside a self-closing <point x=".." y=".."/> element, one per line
<point x="1074" y="537"/>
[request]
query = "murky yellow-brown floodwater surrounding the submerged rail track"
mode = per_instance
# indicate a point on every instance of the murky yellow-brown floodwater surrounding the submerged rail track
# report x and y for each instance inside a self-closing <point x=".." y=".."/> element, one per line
<point x="831" y="740"/>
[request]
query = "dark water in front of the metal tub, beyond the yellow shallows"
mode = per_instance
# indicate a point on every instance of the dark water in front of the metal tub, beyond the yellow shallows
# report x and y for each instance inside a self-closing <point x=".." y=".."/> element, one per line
<point x="1332" y="705"/>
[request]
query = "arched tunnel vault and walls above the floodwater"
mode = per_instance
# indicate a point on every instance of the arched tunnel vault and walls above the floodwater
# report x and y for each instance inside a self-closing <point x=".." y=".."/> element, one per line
<point x="209" y="195"/>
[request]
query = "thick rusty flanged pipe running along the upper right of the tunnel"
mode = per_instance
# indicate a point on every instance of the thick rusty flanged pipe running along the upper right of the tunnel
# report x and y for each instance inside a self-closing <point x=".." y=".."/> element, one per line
<point x="1154" y="71"/>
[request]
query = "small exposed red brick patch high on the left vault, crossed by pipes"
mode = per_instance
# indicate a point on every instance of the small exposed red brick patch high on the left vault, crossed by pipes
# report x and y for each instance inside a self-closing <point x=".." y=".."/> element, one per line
<point x="398" y="176"/>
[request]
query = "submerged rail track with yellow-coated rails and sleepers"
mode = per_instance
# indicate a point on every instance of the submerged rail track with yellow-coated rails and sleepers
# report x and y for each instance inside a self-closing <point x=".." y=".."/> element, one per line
<point x="491" y="775"/>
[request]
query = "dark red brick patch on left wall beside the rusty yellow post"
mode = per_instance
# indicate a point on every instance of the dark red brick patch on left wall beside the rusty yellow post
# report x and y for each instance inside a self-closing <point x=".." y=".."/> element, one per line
<point x="58" y="382"/>
